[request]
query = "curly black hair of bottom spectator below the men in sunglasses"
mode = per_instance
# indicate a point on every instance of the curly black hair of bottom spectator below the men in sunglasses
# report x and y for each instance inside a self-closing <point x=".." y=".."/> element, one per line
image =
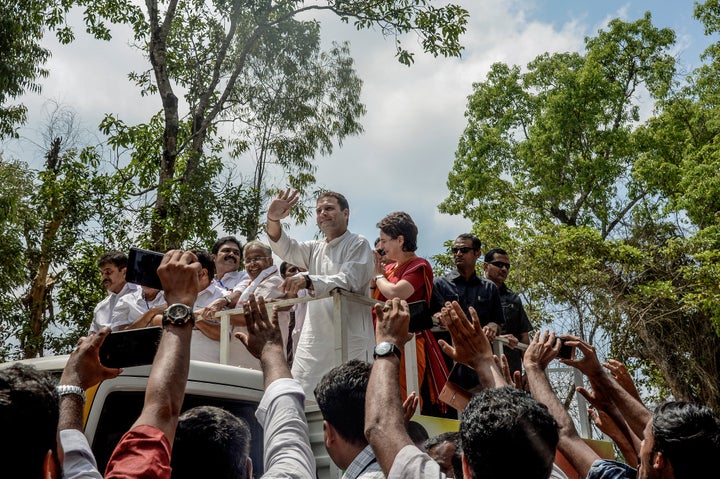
<point x="501" y="424"/>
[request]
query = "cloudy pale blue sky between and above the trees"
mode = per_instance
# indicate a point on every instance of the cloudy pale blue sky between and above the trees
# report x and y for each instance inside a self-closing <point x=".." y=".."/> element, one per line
<point x="415" y="115"/>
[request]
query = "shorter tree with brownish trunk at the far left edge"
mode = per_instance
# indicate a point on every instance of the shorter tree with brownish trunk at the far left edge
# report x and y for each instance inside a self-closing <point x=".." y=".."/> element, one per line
<point x="47" y="213"/>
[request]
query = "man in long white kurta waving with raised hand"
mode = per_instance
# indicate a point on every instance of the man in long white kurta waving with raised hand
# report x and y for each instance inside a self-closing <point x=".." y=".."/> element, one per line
<point x="342" y="260"/>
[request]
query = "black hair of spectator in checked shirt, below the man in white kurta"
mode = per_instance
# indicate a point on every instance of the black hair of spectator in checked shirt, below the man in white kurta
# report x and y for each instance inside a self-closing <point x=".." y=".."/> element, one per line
<point x="340" y="394"/>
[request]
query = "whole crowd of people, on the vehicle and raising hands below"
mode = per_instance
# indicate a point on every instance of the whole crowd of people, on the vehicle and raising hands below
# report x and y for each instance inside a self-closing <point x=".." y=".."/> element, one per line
<point x="508" y="428"/>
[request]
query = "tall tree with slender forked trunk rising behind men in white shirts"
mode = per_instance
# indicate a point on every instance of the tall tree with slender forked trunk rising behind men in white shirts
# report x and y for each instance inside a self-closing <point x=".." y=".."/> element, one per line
<point x="208" y="50"/>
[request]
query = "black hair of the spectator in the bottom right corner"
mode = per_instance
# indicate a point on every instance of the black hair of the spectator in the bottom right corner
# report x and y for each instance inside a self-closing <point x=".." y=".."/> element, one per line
<point x="688" y="435"/>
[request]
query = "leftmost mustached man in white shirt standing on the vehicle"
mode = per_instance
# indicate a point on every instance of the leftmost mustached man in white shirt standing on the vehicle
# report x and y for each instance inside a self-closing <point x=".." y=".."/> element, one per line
<point x="113" y="265"/>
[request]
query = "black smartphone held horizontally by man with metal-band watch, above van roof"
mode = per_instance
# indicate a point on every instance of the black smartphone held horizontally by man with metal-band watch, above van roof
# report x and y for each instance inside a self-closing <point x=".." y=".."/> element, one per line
<point x="131" y="347"/>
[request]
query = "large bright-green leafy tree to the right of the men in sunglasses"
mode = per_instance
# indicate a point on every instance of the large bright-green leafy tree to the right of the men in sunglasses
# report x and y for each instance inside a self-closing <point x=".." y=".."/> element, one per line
<point x="554" y="166"/>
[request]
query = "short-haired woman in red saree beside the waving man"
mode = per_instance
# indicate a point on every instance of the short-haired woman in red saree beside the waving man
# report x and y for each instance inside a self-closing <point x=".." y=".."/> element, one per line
<point x="400" y="273"/>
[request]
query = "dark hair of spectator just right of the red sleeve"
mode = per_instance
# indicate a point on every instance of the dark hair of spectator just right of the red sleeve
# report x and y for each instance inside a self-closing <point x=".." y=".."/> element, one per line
<point x="210" y="442"/>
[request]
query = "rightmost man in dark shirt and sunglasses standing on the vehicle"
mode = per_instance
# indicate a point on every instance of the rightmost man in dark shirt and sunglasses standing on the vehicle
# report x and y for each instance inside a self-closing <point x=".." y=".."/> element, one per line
<point x="517" y="326"/>
